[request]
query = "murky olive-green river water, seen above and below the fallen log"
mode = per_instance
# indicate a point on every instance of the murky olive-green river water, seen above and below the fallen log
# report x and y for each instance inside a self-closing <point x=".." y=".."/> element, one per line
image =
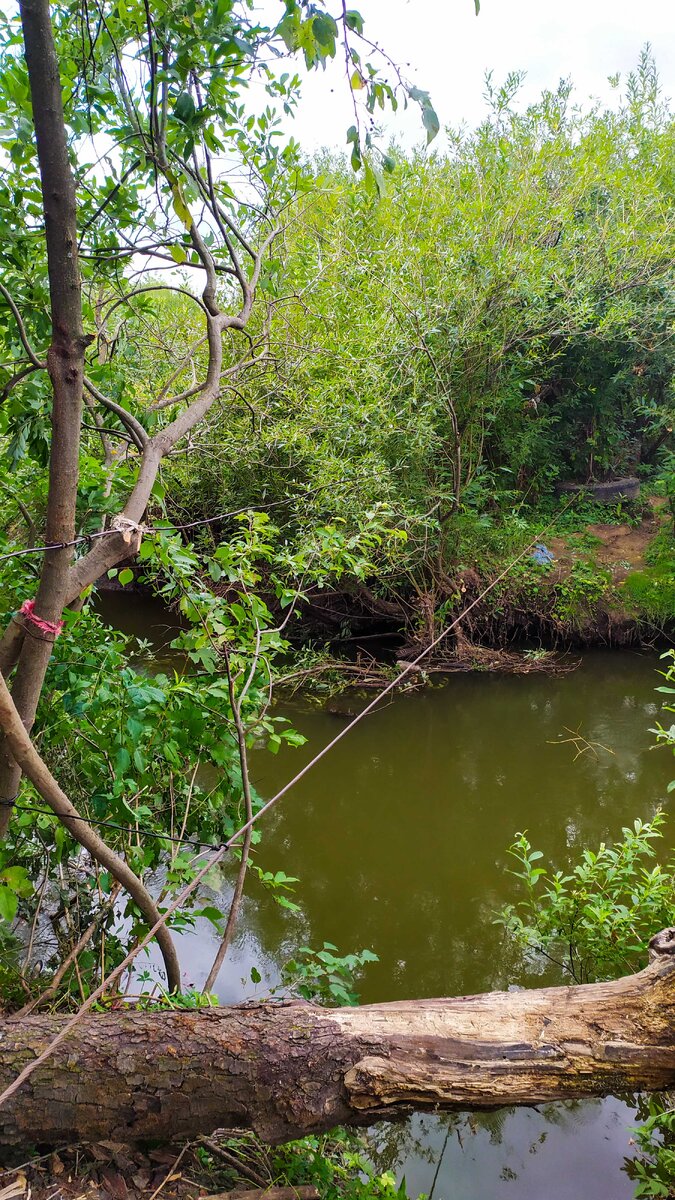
<point x="399" y="838"/>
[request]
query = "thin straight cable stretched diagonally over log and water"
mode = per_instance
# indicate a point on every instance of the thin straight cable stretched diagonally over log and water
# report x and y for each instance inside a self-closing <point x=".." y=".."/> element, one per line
<point x="214" y="859"/>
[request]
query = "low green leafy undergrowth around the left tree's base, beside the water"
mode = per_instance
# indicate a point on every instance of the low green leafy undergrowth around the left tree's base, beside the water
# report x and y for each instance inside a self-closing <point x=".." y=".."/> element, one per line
<point x="156" y="754"/>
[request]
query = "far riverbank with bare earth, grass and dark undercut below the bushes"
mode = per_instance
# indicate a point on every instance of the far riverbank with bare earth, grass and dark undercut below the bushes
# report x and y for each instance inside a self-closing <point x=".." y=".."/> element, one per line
<point x="595" y="585"/>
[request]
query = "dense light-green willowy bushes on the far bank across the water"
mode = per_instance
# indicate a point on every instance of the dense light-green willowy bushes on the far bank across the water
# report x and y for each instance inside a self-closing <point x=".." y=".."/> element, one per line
<point x="495" y="322"/>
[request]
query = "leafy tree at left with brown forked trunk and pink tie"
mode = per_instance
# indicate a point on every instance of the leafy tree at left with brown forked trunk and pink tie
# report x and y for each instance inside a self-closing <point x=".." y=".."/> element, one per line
<point x="140" y="122"/>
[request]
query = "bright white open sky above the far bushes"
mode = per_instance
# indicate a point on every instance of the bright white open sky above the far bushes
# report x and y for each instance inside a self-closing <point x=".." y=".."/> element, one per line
<point x="450" y="50"/>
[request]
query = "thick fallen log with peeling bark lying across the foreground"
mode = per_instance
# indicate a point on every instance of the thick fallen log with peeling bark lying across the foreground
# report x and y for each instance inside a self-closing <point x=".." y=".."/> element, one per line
<point x="290" y="1069"/>
